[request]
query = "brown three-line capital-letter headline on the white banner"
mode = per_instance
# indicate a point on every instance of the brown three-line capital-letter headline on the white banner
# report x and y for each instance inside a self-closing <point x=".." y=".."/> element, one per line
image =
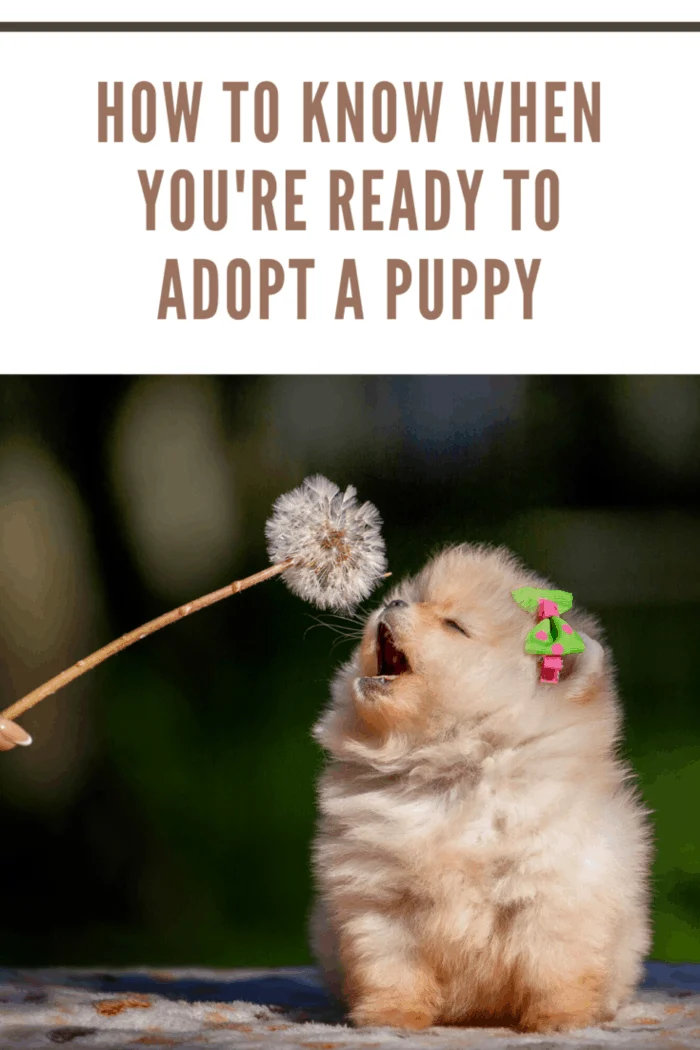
<point x="334" y="192"/>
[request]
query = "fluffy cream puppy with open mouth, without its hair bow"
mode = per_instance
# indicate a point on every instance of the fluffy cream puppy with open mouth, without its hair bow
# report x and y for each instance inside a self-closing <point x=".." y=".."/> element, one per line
<point x="481" y="856"/>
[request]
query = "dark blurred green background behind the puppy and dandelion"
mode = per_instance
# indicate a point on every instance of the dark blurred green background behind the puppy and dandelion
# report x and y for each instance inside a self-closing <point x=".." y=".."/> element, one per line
<point x="165" y="811"/>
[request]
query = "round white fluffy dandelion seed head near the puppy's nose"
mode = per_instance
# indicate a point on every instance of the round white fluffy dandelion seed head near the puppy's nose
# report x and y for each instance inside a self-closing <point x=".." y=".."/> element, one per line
<point x="336" y="543"/>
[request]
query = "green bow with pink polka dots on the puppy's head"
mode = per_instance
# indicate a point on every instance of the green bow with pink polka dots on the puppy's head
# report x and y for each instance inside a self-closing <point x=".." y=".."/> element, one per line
<point x="551" y="638"/>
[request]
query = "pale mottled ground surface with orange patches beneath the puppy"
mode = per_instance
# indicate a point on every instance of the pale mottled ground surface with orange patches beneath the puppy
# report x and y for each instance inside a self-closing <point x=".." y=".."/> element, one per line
<point x="286" y="1009"/>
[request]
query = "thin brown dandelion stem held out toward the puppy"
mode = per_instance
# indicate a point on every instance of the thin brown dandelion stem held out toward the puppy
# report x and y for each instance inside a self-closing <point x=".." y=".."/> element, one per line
<point x="82" y="666"/>
